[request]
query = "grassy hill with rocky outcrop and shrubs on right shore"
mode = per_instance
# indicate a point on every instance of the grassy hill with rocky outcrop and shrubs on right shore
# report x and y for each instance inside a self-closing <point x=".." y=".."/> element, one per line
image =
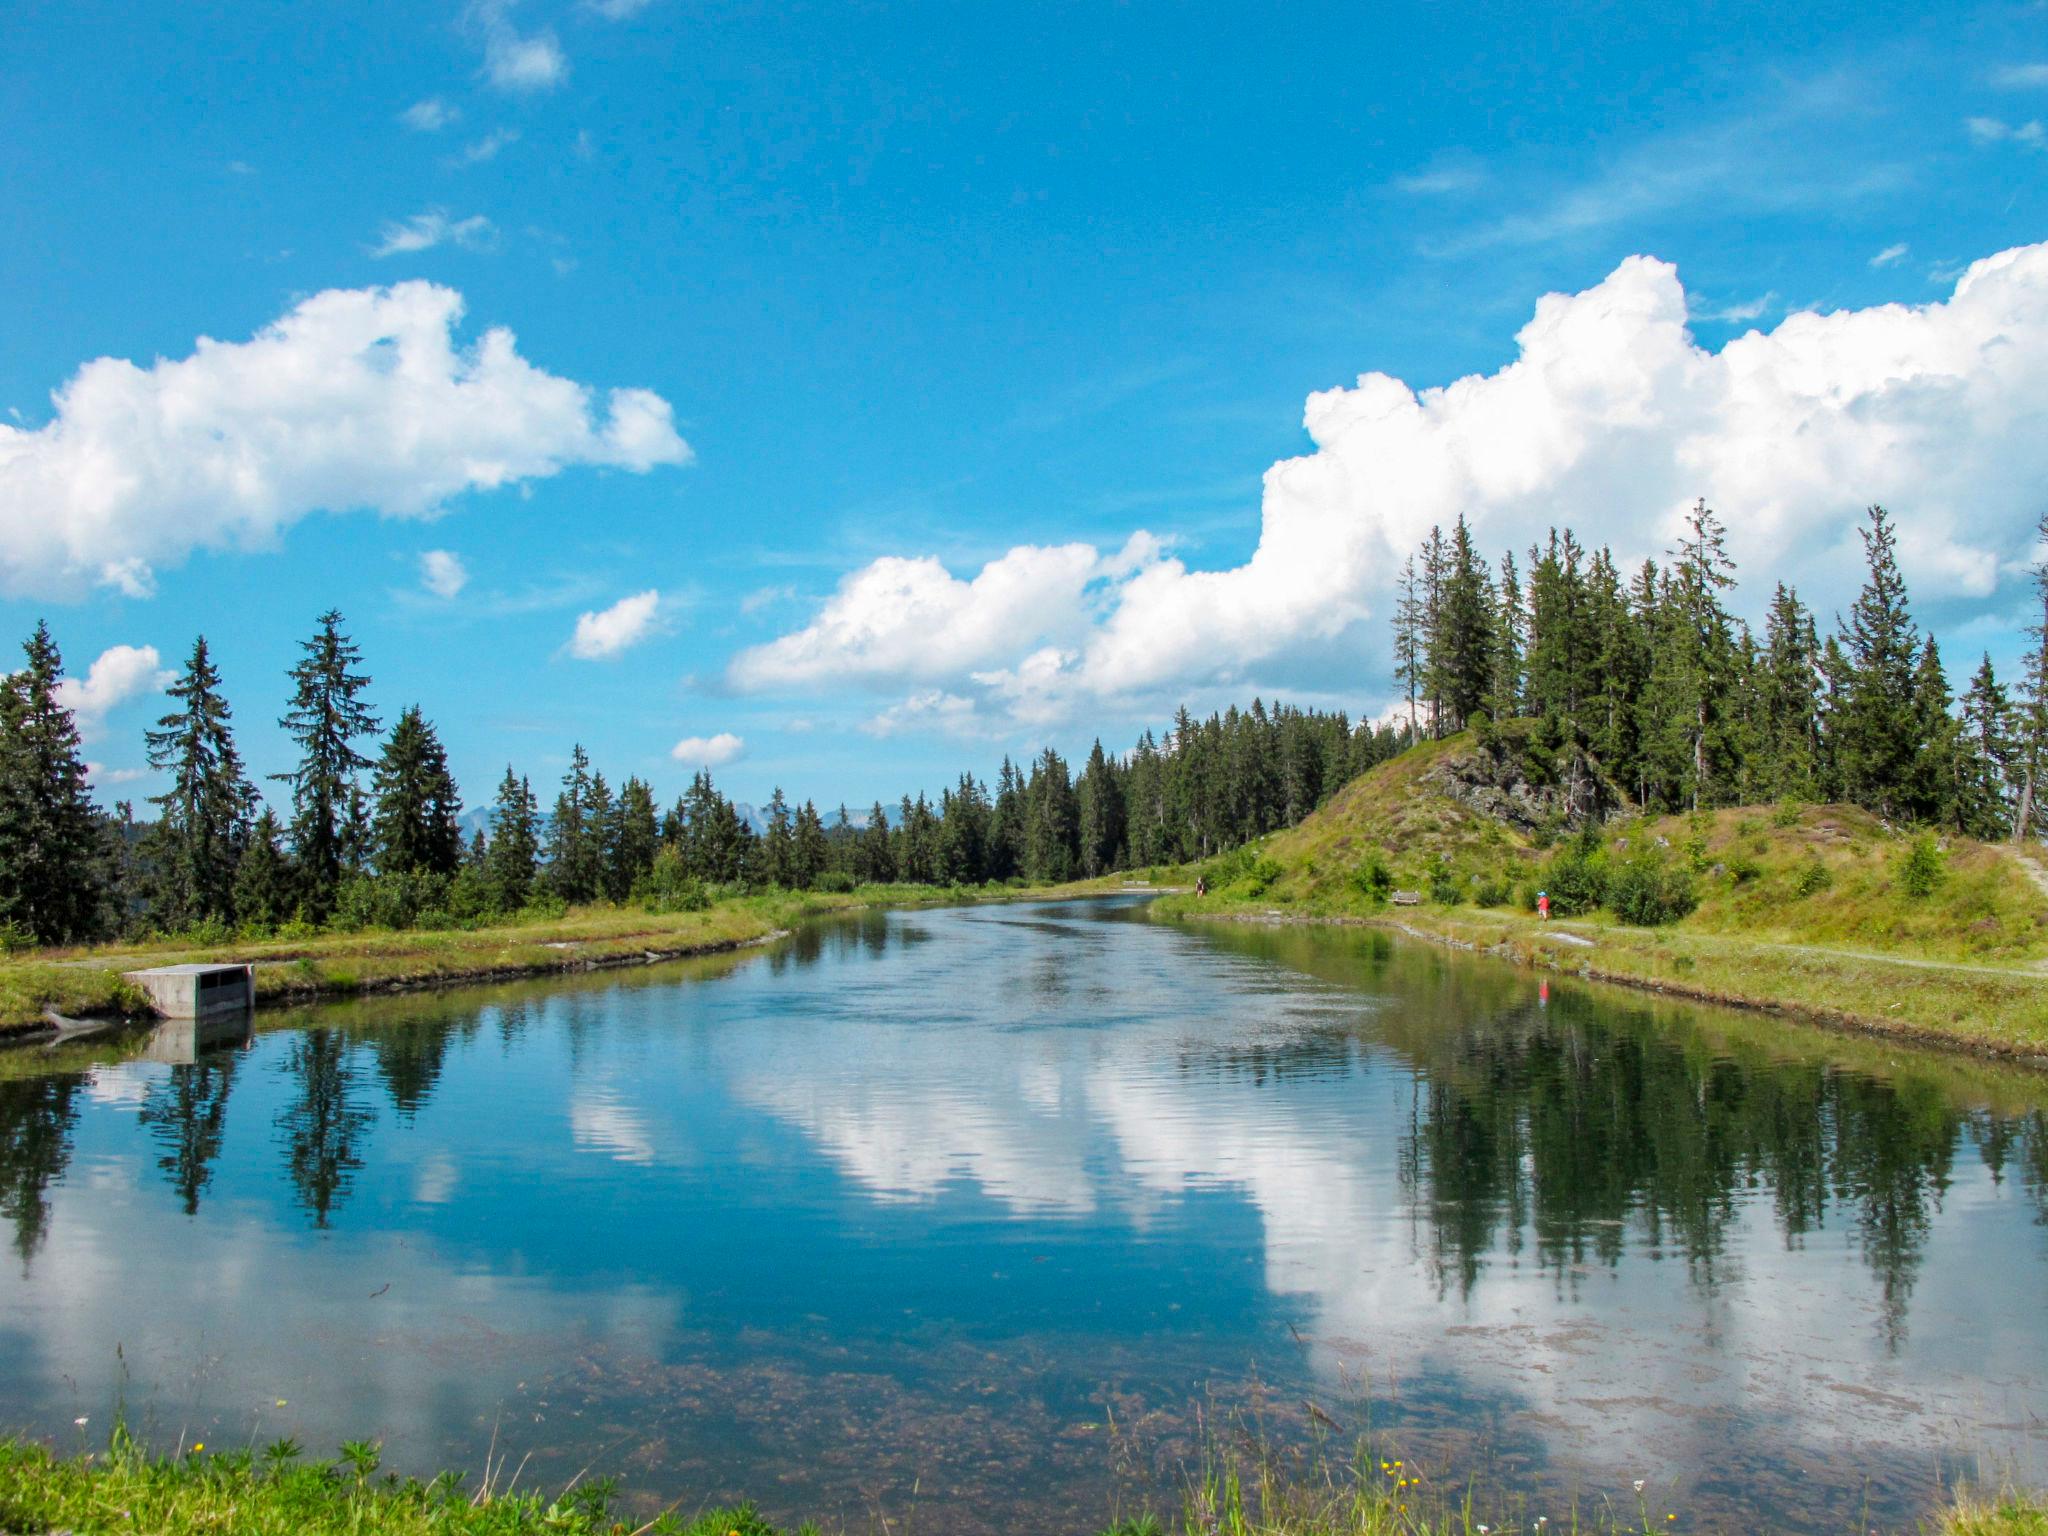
<point x="1811" y="908"/>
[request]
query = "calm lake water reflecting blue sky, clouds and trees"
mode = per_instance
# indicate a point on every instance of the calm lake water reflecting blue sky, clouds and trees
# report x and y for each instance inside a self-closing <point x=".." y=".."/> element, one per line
<point x="988" y="1218"/>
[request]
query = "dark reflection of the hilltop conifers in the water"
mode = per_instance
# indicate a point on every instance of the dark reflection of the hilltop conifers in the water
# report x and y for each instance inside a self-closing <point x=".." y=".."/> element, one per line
<point x="1562" y="1132"/>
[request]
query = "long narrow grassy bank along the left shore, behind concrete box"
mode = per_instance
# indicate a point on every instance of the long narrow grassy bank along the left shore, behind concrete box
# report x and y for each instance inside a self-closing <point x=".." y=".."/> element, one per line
<point x="87" y="982"/>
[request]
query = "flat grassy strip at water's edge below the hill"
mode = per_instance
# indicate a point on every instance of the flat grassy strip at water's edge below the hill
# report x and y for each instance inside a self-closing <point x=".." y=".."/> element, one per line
<point x="1564" y="951"/>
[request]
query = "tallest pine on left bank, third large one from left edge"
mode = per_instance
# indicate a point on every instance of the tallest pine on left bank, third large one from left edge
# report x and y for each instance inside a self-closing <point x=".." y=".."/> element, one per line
<point x="327" y="718"/>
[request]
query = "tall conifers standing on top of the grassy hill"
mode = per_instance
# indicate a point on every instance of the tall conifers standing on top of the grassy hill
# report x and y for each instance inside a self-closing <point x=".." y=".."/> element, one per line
<point x="1687" y="708"/>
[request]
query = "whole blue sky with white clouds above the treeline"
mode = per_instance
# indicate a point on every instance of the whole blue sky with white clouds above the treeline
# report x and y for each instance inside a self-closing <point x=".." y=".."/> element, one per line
<point x="937" y="294"/>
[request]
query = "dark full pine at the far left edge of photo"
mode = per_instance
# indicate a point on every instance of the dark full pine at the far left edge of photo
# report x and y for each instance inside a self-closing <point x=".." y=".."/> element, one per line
<point x="52" y="880"/>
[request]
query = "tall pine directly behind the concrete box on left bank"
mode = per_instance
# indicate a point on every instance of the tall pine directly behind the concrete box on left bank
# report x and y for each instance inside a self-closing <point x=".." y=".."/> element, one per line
<point x="206" y="814"/>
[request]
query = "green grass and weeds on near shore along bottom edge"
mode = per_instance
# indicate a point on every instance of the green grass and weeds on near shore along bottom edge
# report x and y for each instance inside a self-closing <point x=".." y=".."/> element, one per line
<point x="278" y="1492"/>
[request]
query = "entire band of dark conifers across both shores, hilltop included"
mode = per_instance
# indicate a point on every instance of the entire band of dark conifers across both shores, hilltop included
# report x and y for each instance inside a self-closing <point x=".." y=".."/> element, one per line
<point x="1654" y="675"/>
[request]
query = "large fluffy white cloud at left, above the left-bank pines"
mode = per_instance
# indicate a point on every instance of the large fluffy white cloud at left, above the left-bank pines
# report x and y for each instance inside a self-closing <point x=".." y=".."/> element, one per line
<point x="359" y="398"/>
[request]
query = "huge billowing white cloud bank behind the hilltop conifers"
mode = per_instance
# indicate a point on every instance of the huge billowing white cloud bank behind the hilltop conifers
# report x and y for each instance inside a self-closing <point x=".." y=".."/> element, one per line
<point x="1611" y="419"/>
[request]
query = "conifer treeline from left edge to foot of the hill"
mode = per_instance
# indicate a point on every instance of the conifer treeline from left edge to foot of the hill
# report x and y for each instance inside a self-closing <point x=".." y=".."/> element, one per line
<point x="370" y="828"/>
